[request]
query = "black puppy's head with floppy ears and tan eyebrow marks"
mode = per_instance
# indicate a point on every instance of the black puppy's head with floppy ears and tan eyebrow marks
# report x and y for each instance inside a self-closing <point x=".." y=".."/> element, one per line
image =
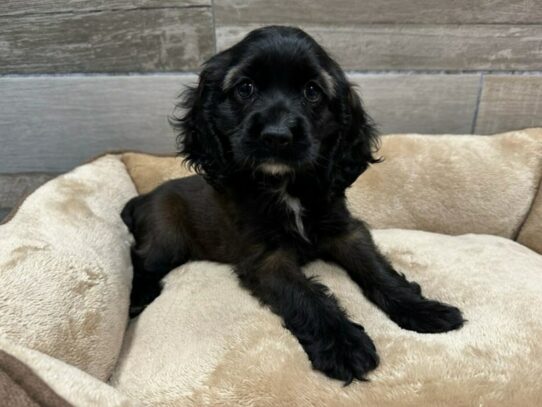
<point x="275" y="103"/>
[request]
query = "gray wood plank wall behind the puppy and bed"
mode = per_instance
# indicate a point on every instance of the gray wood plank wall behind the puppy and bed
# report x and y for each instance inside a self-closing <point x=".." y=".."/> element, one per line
<point x="78" y="78"/>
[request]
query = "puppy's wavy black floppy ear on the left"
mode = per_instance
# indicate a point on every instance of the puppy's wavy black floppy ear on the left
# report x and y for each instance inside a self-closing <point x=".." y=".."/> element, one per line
<point x="197" y="139"/>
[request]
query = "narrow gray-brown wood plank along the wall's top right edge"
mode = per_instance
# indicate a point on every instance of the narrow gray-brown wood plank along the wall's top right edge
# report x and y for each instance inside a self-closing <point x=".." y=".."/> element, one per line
<point x="382" y="11"/>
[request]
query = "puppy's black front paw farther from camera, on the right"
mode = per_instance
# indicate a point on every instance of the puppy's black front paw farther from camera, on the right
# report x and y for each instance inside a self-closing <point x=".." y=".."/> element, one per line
<point x="427" y="316"/>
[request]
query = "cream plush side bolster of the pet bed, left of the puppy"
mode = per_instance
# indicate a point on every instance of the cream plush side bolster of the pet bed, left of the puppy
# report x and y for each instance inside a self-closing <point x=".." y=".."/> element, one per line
<point x="65" y="268"/>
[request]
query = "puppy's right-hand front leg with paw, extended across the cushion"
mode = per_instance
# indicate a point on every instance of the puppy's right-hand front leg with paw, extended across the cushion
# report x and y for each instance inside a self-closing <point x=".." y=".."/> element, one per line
<point x="400" y="299"/>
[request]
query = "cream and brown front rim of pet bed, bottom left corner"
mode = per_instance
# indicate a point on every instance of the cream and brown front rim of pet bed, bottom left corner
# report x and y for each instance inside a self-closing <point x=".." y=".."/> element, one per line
<point x="71" y="384"/>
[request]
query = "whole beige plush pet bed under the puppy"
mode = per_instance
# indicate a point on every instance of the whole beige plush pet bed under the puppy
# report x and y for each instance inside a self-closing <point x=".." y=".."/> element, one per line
<point x="462" y="215"/>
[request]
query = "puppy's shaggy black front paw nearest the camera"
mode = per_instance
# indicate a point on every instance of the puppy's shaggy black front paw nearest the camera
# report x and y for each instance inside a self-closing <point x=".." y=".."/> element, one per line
<point x="346" y="353"/>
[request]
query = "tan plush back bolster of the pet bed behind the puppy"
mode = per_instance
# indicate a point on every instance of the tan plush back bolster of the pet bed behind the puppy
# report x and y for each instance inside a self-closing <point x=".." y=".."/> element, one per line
<point x="444" y="184"/>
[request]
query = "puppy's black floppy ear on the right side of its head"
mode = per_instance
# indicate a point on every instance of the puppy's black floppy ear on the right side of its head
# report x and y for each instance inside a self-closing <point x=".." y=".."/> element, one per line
<point x="356" y="143"/>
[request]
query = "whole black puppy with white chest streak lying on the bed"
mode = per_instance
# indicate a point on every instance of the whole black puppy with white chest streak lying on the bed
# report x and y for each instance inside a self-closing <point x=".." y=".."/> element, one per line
<point x="277" y="134"/>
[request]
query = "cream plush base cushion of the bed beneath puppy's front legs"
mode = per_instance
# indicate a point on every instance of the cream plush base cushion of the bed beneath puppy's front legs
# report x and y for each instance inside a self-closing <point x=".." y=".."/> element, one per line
<point x="206" y="341"/>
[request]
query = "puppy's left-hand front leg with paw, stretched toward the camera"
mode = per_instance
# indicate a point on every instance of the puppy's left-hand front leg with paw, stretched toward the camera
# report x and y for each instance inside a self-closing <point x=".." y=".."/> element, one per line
<point x="335" y="345"/>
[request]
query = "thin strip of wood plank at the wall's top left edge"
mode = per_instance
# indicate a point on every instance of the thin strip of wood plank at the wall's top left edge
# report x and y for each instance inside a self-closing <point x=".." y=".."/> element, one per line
<point x="21" y="7"/>
